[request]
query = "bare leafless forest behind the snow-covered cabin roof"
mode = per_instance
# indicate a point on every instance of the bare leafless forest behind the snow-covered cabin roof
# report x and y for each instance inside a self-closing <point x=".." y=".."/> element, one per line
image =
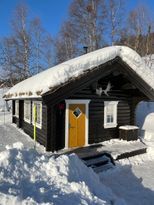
<point x="90" y="25"/>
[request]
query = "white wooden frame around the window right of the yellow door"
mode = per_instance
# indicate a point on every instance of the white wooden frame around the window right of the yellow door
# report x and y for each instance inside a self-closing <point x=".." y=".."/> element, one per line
<point x="115" y="106"/>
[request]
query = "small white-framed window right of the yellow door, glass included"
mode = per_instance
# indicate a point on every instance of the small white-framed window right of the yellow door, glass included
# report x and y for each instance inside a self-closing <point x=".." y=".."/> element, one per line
<point x="110" y="114"/>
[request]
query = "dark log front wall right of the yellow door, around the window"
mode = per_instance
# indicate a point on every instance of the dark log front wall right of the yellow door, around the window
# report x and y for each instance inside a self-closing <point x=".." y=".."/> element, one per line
<point x="97" y="132"/>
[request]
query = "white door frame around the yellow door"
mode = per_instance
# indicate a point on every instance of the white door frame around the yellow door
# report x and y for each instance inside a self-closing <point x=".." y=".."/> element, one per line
<point x="74" y="101"/>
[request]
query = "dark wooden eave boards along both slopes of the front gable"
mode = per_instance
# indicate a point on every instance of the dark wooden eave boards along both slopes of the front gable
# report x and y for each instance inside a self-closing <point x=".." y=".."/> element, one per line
<point x="74" y="85"/>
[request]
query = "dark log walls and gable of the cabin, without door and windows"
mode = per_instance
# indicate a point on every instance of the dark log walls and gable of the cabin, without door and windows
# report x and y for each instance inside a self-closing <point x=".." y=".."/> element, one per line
<point x="52" y="134"/>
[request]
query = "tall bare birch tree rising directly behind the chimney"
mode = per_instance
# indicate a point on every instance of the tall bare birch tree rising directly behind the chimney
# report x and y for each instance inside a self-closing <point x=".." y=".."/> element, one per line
<point x="88" y="18"/>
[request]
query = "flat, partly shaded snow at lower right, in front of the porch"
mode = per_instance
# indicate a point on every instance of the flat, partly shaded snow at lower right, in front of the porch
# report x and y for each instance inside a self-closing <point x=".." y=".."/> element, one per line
<point x="132" y="179"/>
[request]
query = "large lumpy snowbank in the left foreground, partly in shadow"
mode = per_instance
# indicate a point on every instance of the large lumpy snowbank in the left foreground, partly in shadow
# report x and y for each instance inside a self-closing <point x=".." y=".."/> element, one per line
<point x="28" y="177"/>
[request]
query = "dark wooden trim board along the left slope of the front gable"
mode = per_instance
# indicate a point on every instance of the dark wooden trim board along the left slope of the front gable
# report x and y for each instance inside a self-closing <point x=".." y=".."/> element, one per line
<point x="78" y="83"/>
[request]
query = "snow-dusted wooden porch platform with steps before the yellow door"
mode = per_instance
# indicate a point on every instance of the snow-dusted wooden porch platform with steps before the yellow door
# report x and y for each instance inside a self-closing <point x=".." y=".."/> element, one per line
<point x="102" y="156"/>
